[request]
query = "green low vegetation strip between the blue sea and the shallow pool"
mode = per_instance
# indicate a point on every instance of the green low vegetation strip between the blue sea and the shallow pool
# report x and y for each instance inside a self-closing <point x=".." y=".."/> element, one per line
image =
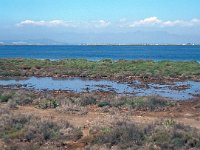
<point x="121" y="69"/>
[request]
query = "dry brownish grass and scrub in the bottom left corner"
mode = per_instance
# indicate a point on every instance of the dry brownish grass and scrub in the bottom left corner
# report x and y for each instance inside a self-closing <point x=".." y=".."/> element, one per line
<point x="19" y="130"/>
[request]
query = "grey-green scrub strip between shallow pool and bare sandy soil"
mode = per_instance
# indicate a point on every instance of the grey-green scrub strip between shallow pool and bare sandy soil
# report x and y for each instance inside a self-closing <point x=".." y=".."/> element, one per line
<point x="78" y="101"/>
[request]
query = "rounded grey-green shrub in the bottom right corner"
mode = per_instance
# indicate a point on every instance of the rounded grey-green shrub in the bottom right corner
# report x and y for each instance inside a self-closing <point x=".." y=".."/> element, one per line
<point x="169" y="135"/>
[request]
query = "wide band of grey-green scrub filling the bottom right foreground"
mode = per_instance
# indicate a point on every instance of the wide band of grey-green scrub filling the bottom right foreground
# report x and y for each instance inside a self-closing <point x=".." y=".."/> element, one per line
<point x="166" y="134"/>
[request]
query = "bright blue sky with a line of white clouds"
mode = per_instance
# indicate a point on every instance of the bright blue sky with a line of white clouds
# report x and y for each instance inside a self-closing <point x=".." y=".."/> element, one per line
<point x="101" y="21"/>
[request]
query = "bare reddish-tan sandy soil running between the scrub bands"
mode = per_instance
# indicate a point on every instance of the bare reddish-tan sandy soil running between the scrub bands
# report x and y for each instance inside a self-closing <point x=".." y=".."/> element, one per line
<point x="187" y="113"/>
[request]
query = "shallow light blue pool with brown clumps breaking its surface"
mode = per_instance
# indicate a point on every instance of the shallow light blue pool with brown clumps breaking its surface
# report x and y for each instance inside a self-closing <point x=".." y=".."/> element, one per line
<point x="82" y="85"/>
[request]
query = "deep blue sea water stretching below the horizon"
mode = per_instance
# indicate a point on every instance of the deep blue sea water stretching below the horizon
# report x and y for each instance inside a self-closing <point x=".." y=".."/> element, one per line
<point x="156" y="53"/>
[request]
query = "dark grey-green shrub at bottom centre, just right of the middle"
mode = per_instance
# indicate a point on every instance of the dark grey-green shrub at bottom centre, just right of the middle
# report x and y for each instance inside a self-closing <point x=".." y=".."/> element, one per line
<point x="123" y="134"/>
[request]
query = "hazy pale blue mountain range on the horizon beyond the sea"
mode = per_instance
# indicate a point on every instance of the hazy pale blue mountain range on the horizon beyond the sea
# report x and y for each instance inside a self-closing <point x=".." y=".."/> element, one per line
<point x="120" y="38"/>
